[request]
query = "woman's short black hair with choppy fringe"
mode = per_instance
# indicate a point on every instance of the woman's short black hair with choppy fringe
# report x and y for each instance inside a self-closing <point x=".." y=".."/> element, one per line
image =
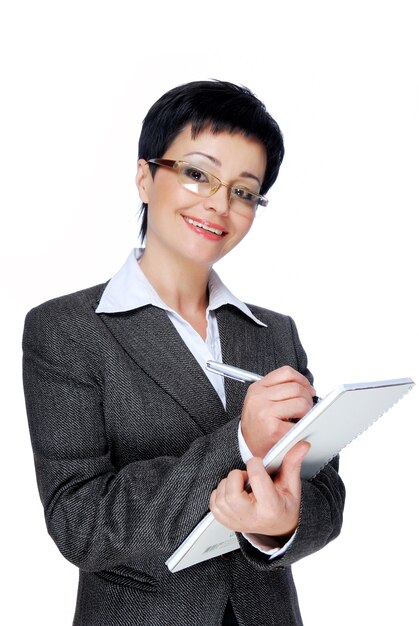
<point x="215" y="105"/>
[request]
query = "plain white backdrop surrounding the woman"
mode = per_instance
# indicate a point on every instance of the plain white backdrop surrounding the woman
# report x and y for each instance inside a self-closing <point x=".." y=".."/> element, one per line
<point x="336" y="248"/>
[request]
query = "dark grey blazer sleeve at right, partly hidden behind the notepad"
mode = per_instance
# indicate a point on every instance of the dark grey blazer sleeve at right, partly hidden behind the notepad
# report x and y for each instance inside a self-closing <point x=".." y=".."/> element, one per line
<point x="322" y="501"/>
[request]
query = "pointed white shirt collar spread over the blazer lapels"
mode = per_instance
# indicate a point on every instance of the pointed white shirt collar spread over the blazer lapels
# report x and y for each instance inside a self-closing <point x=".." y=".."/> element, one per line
<point x="130" y="289"/>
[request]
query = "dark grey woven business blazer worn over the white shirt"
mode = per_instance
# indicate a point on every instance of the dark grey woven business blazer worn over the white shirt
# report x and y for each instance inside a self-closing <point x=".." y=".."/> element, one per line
<point x="129" y="440"/>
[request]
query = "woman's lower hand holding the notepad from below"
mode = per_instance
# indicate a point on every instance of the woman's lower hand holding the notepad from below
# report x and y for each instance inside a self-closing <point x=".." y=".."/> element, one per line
<point x="273" y="505"/>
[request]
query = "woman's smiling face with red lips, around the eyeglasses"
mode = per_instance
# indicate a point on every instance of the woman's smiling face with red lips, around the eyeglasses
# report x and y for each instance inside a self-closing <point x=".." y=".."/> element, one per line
<point x="234" y="159"/>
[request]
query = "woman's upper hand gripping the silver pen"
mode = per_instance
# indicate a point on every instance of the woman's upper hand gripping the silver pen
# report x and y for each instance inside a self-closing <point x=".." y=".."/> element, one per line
<point x="279" y="396"/>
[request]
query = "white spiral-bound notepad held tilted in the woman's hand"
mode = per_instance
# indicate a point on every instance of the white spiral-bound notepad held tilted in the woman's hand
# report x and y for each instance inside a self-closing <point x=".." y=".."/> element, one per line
<point x="329" y="426"/>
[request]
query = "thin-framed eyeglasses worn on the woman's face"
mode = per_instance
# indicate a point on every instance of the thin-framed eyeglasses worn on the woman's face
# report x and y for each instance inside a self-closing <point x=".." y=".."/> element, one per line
<point x="205" y="184"/>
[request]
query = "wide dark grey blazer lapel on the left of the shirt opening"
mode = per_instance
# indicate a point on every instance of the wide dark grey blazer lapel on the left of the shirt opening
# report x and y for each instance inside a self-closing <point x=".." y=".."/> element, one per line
<point x="150" y="339"/>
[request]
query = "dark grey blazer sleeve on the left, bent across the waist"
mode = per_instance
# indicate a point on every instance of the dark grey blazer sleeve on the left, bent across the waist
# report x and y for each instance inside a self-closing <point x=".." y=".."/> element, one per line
<point x="101" y="517"/>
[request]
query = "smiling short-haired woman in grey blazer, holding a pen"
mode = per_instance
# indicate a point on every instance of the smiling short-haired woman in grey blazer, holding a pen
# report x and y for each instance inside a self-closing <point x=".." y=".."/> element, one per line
<point x="133" y="439"/>
